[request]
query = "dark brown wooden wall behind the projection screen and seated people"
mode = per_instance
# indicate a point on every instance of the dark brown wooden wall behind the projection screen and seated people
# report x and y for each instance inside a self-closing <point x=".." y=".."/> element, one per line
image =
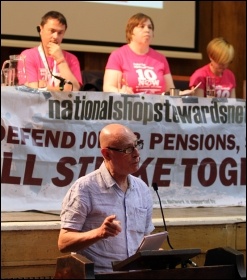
<point x="216" y="18"/>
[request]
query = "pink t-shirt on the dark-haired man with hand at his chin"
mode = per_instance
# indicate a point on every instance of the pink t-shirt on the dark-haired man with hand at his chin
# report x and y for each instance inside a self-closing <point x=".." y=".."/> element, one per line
<point x="33" y="62"/>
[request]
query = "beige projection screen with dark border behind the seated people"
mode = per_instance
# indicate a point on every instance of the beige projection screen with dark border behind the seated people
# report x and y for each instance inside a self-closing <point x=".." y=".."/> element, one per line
<point x="101" y="24"/>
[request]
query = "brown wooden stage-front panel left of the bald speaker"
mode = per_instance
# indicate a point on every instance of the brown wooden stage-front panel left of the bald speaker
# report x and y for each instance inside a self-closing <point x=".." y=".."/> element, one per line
<point x="29" y="253"/>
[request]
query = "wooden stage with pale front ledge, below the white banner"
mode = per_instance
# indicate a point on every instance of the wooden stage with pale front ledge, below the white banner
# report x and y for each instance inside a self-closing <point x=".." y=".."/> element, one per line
<point x="29" y="239"/>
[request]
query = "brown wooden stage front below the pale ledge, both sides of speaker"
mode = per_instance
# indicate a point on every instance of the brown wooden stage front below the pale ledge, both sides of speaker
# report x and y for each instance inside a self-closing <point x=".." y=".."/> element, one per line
<point x="33" y="253"/>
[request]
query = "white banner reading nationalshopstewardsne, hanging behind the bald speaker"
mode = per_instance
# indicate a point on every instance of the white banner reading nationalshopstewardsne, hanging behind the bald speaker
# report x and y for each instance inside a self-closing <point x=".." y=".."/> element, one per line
<point x="194" y="148"/>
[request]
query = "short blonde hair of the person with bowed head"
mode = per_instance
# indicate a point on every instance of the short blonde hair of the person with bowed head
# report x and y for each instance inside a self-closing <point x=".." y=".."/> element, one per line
<point x="220" y="51"/>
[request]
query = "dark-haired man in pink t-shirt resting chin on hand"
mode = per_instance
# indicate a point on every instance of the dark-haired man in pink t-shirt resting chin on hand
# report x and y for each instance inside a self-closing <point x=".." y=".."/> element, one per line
<point x="49" y="55"/>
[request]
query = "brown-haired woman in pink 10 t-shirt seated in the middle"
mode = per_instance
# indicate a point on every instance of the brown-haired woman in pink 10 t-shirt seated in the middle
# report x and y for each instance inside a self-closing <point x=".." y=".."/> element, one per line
<point x="136" y="67"/>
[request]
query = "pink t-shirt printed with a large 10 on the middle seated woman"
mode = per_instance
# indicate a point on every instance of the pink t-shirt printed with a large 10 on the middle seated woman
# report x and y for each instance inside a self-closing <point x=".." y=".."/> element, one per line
<point x="144" y="73"/>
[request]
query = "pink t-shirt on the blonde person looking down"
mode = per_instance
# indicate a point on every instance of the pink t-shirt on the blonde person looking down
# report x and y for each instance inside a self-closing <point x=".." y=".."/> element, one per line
<point x="223" y="85"/>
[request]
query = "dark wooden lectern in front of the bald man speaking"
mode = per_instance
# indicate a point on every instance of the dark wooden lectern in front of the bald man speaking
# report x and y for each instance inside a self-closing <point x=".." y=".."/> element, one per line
<point x="221" y="263"/>
